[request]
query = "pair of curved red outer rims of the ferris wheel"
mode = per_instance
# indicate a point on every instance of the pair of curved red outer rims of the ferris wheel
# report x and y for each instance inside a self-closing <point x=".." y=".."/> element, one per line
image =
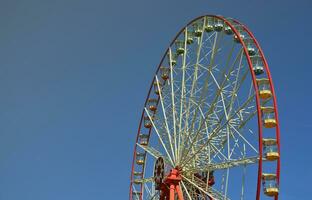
<point x="254" y="81"/>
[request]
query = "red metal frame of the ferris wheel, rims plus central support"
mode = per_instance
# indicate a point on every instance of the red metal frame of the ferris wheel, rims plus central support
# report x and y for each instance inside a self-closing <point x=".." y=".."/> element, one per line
<point x="175" y="188"/>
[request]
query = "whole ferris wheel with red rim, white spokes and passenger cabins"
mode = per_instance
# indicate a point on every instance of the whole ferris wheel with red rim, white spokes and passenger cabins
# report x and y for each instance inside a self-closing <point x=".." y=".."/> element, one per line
<point x="209" y="127"/>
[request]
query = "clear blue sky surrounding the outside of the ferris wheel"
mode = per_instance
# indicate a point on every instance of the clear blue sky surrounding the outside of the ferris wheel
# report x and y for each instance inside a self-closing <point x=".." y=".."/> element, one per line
<point x="74" y="75"/>
